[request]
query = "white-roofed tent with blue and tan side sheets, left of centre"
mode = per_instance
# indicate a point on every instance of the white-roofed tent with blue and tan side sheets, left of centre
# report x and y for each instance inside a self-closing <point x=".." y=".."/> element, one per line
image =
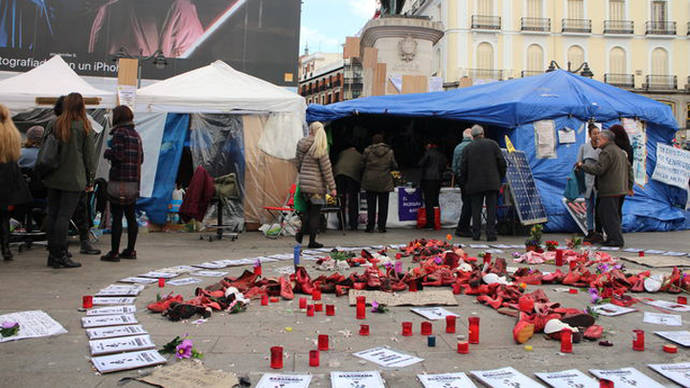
<point x="227" y="122"/>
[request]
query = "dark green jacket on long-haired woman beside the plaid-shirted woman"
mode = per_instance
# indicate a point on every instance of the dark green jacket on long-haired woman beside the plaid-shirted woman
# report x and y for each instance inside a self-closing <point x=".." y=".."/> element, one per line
<point x="77" y="161"/>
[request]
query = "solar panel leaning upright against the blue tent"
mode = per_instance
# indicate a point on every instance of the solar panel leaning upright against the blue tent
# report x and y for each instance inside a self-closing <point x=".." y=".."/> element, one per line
<point x="524" y="192"/>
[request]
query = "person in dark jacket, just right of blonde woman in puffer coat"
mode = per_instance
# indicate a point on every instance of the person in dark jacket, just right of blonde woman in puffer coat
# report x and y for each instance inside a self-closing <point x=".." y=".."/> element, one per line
<point x="348" y="175"/>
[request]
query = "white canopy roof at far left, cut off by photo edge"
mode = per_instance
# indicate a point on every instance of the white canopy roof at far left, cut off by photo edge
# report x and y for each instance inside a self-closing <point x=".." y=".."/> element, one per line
<point x="53" y="78"/>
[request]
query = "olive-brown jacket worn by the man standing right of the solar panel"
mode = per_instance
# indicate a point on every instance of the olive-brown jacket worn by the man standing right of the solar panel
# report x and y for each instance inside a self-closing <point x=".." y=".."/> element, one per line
<point x="613" y="171"/>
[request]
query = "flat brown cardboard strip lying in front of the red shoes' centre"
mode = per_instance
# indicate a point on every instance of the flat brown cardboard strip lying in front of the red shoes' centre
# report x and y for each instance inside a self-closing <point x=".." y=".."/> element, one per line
<point x="421" y="298"/>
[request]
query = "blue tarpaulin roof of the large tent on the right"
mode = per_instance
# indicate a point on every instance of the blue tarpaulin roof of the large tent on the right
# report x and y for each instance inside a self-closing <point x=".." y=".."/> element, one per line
<point x="511" y="103"/>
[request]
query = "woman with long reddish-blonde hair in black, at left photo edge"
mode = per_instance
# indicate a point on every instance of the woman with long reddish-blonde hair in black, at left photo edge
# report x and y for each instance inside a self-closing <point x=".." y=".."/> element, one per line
<point x="13" y="190"/>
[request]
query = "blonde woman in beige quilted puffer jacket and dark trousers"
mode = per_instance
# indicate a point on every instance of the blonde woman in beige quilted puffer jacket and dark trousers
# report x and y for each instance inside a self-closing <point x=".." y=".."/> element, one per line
<point x="315" y="180"/>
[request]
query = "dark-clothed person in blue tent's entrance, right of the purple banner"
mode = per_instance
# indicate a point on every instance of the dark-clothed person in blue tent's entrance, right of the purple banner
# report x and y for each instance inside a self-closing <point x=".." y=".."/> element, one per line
<point x="432" y="164"/>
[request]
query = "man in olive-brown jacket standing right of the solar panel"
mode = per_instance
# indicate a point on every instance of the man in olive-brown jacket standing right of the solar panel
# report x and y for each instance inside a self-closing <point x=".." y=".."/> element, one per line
<point x="614" y="180"/>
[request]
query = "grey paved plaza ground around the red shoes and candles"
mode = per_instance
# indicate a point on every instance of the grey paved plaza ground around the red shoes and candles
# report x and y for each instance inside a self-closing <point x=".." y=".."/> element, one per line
<point x="240" y="343"/>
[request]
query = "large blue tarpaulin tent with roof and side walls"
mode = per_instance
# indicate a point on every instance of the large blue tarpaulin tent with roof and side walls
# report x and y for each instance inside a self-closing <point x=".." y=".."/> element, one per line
<point x="568" y="99"/>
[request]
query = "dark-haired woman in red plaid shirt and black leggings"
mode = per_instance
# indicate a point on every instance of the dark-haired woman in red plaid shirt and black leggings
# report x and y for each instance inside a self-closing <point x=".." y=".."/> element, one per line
<point x="126" y="155"/>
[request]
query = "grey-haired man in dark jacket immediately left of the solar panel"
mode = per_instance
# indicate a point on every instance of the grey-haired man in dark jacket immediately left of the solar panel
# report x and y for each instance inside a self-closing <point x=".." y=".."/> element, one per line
<point x="481" y="171"/>
